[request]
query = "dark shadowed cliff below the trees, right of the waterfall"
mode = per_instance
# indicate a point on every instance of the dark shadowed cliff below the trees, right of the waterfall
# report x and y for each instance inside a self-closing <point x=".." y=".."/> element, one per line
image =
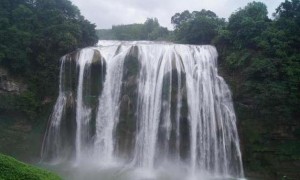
<point x="270" y="144"/>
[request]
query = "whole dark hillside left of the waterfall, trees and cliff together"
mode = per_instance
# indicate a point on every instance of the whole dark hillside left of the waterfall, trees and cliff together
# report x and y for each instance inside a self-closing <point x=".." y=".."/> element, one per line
<point x="34" y="34"/>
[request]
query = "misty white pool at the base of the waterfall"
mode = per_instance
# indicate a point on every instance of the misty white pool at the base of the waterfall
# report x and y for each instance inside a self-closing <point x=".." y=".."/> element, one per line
<point x="91" y="171"/>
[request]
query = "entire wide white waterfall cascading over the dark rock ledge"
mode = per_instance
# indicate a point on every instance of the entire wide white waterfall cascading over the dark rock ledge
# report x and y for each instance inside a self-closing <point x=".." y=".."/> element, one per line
<point x="142" y="106"/>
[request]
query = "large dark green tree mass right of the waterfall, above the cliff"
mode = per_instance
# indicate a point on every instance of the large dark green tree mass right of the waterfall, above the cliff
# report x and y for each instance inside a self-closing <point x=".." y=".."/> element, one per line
<point x="265" y="55"/>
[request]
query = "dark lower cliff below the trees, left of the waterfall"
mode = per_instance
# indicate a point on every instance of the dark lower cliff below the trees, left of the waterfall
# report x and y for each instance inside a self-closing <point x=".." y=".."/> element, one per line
<point x="21" y="131"/>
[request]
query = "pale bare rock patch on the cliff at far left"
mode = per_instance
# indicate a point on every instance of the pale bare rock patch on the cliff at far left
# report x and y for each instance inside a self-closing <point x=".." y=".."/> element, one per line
<point x="10" y="85"/>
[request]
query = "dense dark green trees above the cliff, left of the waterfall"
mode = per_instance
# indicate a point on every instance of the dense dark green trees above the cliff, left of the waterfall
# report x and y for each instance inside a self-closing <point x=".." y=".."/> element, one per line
<point x="35" y="34"/>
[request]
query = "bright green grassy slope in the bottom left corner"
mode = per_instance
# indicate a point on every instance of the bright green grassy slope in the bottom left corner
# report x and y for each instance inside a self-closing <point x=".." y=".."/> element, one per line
<point x="12" y="169"/>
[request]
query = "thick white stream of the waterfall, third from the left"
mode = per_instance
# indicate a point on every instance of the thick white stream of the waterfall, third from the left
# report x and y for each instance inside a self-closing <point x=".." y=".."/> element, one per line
<point x="108" y="110"/>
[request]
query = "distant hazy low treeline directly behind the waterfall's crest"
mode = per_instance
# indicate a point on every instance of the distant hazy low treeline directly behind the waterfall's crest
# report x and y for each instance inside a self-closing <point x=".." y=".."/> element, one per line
<point x="150" y="30"/>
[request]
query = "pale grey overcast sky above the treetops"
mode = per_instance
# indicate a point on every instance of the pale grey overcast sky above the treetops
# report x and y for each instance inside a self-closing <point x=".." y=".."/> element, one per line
<point x="105" y="13"/>
